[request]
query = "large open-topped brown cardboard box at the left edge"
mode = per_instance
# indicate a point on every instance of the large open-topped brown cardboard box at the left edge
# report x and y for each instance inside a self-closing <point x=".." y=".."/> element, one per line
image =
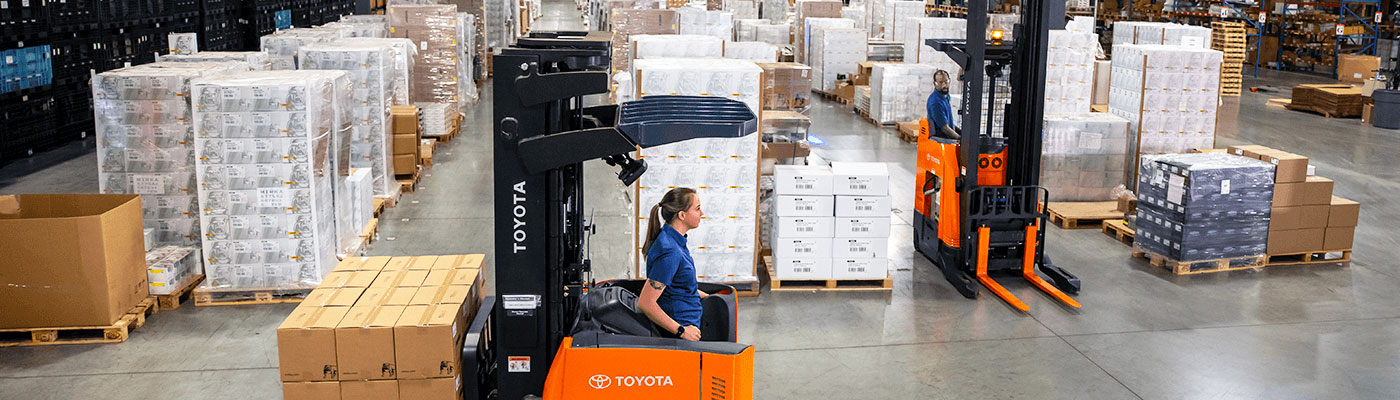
<point x="71" y="259"/>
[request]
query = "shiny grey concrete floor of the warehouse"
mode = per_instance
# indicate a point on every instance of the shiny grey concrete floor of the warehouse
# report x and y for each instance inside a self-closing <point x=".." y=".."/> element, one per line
<point x="1305" y="332"/>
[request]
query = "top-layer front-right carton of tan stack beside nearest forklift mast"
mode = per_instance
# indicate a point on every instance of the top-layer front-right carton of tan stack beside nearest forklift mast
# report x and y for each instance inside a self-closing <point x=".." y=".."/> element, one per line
<point x="426" y="342"/>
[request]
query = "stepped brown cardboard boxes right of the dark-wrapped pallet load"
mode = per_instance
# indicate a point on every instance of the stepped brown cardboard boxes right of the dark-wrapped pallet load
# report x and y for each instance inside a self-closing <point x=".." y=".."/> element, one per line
<point x="1305" y="216"/>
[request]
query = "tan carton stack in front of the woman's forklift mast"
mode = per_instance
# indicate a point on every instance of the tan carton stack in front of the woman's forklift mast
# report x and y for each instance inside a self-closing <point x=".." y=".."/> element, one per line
<point x="383" y="328"/>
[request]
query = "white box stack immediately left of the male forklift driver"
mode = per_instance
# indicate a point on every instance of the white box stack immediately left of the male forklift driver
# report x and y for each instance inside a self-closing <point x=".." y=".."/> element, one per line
<point x="899" y="93"/>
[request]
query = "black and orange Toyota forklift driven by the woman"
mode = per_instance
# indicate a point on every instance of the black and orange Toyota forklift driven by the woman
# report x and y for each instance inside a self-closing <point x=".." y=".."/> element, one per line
<point x="552" y="332"/>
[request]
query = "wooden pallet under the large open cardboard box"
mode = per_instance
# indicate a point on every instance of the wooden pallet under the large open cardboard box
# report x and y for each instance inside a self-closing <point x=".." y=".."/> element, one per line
<point x="80" y="335"/>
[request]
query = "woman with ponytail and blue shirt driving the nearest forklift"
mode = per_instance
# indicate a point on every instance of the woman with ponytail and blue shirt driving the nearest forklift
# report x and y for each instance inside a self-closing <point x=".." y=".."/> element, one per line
<point x="671" y="299"/>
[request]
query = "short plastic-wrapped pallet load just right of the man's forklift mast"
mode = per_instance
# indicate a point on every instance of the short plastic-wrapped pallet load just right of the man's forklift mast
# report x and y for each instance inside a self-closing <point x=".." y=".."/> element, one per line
<point x="1083" y="156"/>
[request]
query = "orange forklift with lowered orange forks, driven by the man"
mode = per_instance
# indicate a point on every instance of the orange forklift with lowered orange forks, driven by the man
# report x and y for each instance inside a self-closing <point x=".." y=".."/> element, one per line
<point x="986" y="220"/>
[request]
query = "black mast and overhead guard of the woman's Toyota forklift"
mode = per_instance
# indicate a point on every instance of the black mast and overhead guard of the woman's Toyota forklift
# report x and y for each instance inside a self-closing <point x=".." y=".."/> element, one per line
<point x="542" y="135"/>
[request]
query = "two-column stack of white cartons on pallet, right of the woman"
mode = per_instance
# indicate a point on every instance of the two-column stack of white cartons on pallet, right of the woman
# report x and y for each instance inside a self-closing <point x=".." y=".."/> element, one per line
<point x="831" y="223"/>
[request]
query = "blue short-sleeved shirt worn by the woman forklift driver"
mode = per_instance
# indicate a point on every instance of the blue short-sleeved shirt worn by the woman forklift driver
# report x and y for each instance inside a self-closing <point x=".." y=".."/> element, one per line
<point x="670" y="264"/>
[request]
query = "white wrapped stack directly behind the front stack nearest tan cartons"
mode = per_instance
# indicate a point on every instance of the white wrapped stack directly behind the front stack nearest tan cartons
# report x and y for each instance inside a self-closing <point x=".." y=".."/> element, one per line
<point x="370" y="68"/>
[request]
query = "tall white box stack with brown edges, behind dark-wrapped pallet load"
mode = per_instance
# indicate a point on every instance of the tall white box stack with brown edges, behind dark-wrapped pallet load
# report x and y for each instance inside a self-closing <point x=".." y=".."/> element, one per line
<point x="1170" y="97"/>
